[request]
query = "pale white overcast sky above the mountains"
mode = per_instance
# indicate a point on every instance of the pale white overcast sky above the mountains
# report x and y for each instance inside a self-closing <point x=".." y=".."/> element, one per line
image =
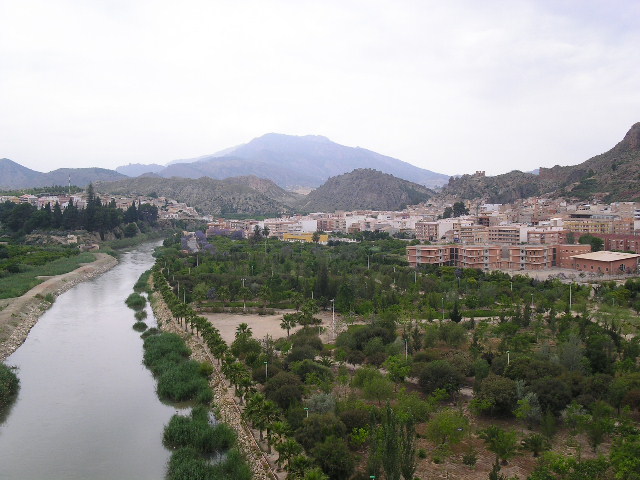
<point x="451" y="86"/>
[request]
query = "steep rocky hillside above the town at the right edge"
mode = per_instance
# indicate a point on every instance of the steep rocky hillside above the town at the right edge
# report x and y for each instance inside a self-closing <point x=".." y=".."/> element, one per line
<point x="611" y="176"/>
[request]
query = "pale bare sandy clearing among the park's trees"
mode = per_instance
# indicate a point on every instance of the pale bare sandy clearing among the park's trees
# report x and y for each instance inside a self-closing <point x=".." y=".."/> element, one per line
<point x="262" y="325"/>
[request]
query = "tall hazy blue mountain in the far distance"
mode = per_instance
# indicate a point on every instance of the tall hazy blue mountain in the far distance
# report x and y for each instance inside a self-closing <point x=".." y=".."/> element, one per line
<point x="292" y="162"/>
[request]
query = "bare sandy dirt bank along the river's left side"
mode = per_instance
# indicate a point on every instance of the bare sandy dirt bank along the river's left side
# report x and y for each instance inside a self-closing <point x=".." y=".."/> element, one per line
<point x="19" y="315"/>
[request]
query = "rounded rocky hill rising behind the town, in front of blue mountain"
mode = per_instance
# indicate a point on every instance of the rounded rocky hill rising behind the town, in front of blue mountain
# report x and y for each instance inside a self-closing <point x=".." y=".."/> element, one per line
<point x="364" y="188"/>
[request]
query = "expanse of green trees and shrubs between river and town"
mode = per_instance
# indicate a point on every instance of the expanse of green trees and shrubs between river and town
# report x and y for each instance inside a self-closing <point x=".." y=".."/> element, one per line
<point x="434" y="370"/>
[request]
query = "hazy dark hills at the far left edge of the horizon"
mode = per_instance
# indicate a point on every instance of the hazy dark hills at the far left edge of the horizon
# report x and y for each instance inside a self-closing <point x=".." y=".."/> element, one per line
<point x="15" y="176"/>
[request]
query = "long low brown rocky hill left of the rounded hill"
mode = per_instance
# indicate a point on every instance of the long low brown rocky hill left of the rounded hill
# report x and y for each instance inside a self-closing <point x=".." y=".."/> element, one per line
<point x="215" y="197"/>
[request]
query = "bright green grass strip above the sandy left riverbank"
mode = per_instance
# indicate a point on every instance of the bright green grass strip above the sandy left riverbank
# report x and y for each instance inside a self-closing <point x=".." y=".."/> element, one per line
<point x="16" y="284"/>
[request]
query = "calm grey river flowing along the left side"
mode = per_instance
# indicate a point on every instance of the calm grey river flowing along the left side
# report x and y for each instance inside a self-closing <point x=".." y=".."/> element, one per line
<point x="87" y="407"/>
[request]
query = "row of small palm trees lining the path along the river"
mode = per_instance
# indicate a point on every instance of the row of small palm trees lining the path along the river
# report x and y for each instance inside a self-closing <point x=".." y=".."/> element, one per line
<point x="262" y="413"/>
